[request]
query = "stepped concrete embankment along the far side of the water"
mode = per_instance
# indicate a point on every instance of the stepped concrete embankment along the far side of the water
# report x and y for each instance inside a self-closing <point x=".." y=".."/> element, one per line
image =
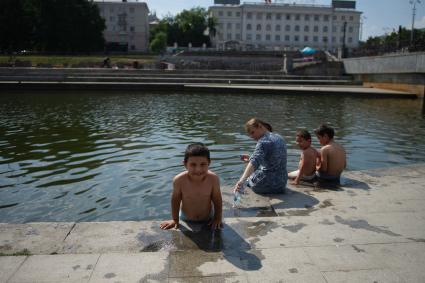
<point x="273" y="82"/>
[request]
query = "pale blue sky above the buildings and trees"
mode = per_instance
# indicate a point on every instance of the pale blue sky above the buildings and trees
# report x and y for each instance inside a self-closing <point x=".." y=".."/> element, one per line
<point x="379" y="16"/>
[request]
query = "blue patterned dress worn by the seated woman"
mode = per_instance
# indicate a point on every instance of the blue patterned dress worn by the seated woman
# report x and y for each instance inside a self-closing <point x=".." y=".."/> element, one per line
<point x="269" y="161"/>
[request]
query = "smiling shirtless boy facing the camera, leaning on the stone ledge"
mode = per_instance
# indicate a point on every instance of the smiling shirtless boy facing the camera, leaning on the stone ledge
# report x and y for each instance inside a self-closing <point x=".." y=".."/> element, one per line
<point x="195" y="191"/>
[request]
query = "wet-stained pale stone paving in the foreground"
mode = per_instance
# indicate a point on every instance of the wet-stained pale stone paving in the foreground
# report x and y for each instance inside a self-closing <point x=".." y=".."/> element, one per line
<point x="372" y="229"/>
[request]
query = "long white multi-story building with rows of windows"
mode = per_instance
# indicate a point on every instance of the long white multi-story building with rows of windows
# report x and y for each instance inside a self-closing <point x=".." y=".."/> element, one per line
<point x="280" y="26"/>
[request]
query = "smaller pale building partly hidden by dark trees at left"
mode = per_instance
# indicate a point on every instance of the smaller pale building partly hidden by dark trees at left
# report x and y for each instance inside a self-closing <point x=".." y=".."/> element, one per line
<point x="127" y="25"/>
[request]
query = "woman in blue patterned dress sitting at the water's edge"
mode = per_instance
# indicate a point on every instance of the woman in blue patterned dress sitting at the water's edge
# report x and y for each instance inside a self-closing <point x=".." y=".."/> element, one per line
<point x="266" y="170"/>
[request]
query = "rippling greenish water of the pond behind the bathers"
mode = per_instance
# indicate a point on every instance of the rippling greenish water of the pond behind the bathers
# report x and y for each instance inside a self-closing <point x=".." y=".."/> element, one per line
<point x="98" y="157"/>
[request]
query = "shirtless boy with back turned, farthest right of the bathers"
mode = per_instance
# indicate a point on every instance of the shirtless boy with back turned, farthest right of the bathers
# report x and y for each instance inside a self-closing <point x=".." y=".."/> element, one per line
<point x="333" y="157"/>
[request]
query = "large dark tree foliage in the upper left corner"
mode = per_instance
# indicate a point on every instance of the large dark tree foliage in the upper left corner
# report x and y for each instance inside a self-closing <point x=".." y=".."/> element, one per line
<point x="51" y="26"/>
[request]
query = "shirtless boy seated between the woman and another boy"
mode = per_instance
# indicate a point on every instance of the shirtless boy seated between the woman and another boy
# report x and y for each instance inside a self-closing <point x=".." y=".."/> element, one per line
<point x="309" y="159"/>
